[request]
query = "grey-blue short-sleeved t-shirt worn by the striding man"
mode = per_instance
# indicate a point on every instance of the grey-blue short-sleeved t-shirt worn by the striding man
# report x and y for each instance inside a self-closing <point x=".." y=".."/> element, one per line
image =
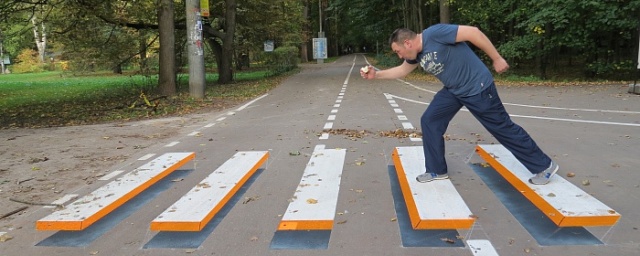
<point x="454" y="64"/>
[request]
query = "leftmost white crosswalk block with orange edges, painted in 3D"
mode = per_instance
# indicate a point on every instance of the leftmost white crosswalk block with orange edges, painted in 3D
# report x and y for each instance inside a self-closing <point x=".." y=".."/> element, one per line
<point x="92" y="207"/>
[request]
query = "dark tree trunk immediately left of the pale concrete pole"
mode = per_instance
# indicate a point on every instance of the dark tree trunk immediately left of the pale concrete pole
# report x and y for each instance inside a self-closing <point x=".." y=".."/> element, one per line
<point x="167" y="76"/>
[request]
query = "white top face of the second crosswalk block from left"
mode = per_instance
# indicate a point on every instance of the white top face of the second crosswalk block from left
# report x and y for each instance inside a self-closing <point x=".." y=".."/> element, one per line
<point x="210" y="192"/>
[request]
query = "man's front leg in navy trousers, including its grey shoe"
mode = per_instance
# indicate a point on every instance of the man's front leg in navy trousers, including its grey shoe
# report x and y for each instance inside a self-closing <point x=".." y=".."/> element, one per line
<point x="434" y="123"/>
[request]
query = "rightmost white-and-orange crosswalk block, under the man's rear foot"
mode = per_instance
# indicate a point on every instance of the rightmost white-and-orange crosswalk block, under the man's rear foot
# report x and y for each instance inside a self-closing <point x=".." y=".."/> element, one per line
<point x="562" y="202"/>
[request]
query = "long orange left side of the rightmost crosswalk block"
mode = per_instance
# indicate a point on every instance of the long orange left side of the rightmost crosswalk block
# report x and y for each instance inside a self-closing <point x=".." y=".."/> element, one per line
<point x="546" y="208"/>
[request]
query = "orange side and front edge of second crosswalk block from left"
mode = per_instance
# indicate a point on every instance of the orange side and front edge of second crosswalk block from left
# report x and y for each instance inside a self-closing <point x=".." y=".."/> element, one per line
<point x="198" y="226"/>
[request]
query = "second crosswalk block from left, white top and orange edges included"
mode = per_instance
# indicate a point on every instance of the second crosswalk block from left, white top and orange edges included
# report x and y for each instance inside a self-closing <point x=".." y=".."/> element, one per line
<point x="196" y="208"/>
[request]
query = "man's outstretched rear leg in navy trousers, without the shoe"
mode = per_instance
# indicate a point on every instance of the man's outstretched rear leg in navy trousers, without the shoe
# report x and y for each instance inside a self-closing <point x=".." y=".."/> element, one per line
<point x="488" y="109"/>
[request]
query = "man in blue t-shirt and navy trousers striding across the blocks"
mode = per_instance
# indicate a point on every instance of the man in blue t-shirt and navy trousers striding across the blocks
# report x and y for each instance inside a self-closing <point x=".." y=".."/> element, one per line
<point x="442" y="51"/>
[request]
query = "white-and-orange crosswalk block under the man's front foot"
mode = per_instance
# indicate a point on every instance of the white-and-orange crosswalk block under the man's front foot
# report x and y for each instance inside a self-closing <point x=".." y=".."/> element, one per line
<point x="431" y="205"/>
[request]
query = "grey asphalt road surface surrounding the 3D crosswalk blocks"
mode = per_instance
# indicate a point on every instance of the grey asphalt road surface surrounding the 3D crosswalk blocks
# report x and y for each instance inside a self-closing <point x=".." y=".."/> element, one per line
<point x="592" y="131"/>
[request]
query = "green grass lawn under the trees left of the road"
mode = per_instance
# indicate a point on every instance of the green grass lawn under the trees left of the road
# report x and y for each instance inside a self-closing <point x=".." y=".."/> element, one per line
<point x="55" y="99"/>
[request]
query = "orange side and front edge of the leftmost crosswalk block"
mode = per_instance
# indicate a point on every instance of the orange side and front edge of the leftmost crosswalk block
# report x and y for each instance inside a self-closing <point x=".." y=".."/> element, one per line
<point x="73" y="225"/>
